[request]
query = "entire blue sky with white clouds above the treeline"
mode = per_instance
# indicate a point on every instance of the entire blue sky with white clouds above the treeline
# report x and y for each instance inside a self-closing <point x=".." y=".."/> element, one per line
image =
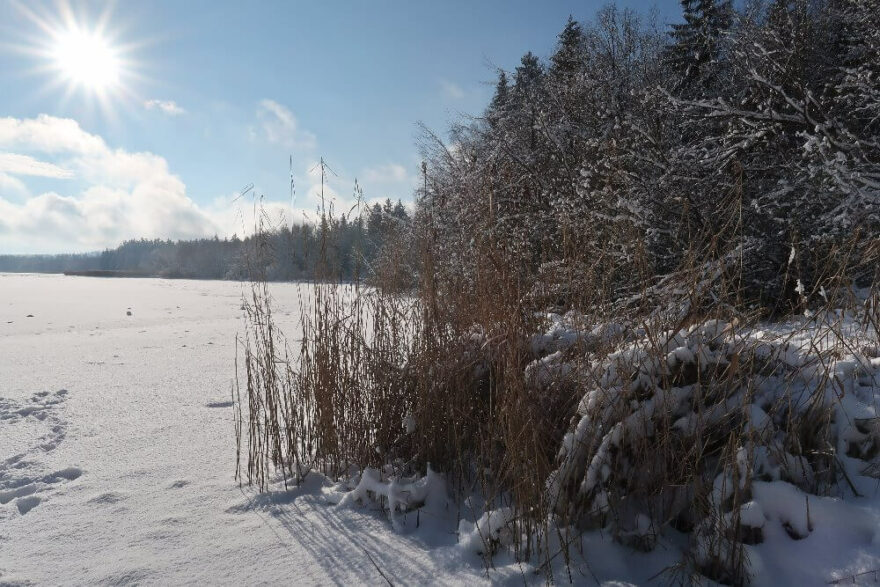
<point x="214" y="95"/>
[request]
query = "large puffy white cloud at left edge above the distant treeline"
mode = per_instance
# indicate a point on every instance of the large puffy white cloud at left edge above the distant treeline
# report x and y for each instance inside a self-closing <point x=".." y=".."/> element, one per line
<point x="120" y="194"/>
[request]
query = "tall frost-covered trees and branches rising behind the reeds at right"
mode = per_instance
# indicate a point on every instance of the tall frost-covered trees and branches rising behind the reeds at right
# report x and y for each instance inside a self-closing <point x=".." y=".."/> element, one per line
<point x="750" y="132"/>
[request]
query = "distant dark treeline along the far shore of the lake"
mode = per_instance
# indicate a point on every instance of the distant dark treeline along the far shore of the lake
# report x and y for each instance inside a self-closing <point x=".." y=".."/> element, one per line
<point x="343" y="247"/>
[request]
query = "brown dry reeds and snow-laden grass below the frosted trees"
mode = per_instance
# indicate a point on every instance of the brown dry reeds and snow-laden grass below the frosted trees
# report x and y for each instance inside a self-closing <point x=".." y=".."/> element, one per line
<point x="657" y="407"/>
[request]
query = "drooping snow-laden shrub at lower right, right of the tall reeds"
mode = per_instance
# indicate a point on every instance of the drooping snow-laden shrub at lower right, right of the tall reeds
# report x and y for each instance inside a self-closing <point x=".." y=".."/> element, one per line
<point x="677" y="427"/>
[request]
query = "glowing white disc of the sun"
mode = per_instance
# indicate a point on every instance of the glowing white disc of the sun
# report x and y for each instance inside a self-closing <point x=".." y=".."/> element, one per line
<point x="87" y="60"/>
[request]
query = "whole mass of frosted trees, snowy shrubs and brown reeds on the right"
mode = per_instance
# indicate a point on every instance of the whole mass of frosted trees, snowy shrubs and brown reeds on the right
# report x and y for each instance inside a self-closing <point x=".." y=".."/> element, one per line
<point x="673" y="190"/>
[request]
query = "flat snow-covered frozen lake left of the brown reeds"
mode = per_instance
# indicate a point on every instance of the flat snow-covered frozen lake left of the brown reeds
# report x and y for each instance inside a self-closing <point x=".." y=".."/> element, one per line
<point x="117" y="450"/>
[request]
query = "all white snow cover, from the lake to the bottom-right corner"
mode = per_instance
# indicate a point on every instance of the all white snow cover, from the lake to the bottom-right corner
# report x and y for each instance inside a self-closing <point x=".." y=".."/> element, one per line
<point x="117" y="458"/>
